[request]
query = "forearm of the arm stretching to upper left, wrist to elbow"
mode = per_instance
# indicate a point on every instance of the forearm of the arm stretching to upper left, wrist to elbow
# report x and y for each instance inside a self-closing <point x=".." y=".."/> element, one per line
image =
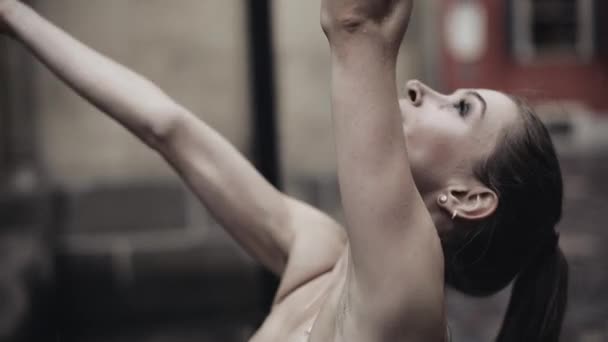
<point x="130" y="99"/>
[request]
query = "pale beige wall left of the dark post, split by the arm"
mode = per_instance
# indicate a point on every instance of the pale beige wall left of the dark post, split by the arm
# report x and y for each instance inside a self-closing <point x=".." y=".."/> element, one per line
<point x="195" y="50"/>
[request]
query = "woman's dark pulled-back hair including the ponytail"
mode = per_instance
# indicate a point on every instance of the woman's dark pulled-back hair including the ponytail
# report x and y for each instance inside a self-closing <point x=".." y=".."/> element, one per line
<point x="518" y="241"/>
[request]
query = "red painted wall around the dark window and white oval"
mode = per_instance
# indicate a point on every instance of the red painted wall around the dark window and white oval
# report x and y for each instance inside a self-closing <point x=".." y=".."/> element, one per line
<point x="565" y="79"/>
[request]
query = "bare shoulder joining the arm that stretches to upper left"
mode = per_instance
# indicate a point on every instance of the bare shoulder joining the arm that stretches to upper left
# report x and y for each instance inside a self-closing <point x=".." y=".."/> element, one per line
<point x="319" y="242"/>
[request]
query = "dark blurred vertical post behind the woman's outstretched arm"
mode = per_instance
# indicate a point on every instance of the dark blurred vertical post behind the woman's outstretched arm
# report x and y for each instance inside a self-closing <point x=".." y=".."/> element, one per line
<point x="264" y="123"/>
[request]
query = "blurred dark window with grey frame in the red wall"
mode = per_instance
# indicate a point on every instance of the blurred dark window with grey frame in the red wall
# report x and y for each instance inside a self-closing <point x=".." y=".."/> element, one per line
<point x="552" y="29"/>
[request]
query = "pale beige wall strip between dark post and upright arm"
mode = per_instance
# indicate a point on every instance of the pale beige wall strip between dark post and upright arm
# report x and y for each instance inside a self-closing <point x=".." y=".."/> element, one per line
<point x="303" y="87"/>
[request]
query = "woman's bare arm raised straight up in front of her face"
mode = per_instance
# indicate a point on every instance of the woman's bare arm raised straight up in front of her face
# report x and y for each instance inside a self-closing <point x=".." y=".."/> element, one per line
<point x="397" y="282"/>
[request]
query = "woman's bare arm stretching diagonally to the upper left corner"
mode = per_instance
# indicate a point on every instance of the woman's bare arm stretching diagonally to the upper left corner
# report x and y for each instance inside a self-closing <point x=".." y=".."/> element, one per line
<point x="256" y="214"/>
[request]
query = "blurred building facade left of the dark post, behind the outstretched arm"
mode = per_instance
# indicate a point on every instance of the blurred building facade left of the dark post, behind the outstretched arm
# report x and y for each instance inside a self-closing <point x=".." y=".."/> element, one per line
<point x="97" y="220"/>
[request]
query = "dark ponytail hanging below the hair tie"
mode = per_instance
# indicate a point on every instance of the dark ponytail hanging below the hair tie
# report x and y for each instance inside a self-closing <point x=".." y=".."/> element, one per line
<point x="538" y="300"/>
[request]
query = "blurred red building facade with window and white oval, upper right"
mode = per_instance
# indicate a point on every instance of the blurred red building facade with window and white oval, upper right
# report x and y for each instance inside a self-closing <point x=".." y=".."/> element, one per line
<point x="551" y="50"/>
